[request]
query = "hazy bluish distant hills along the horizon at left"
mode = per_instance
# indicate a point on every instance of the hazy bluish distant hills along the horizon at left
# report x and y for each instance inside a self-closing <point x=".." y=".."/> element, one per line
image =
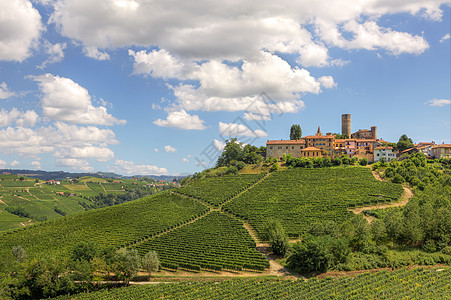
<point x="61" y="175"/>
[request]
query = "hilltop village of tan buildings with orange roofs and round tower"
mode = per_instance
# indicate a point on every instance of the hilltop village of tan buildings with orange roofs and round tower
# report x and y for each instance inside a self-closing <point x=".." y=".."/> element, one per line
<point x="361" y="144"/>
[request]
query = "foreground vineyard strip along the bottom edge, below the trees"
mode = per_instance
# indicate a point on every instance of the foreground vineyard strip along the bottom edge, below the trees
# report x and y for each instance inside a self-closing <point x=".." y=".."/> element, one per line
<point x="400" y="284"/>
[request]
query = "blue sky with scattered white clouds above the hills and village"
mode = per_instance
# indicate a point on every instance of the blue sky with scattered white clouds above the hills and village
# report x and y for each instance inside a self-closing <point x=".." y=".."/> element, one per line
<point x="156" y="87"/>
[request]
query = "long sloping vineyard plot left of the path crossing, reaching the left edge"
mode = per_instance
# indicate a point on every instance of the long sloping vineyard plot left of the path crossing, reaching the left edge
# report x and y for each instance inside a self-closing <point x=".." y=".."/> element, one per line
<point x="112" y="226"/>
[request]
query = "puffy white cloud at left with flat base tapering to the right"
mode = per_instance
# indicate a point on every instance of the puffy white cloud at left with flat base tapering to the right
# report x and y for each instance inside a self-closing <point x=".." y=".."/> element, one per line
<point x="65" y="100"/>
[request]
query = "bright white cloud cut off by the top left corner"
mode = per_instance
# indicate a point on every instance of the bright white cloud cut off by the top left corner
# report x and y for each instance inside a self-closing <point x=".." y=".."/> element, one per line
<point x="20" y="29"/>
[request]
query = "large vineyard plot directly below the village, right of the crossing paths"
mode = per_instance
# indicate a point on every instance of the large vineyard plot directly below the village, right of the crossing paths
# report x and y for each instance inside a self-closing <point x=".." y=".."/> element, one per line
<point x="298" y="197"/>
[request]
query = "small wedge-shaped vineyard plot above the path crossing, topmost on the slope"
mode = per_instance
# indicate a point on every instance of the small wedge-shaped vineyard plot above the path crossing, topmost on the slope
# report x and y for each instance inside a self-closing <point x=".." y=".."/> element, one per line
<point x="217" y="190"/>
